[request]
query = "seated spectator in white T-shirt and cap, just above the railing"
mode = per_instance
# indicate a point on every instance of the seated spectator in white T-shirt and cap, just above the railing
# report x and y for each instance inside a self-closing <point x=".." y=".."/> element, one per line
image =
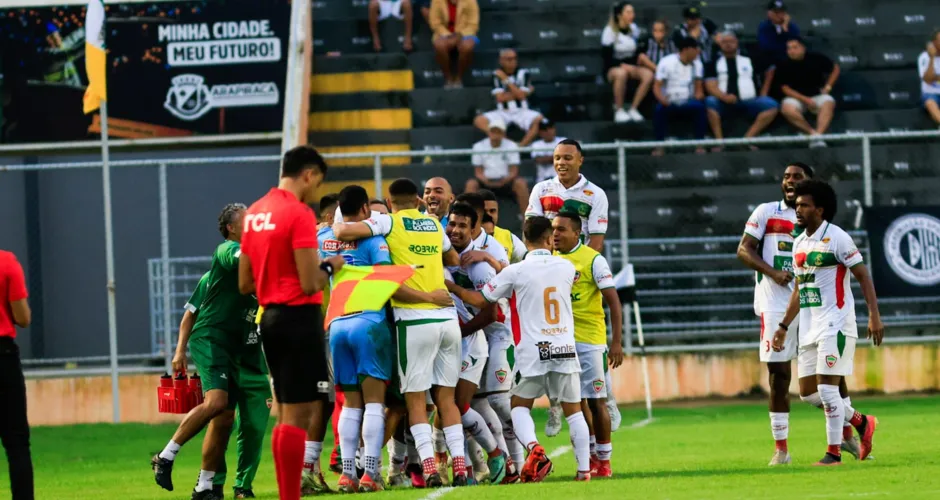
<point x="498" y="172"/>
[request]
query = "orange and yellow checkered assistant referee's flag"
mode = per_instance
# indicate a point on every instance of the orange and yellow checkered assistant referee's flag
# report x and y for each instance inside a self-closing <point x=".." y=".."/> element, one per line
<point x="364" y="288"/>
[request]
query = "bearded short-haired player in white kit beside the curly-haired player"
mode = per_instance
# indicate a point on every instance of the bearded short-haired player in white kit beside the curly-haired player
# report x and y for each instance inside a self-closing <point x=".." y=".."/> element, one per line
<point x="767" y="248"/>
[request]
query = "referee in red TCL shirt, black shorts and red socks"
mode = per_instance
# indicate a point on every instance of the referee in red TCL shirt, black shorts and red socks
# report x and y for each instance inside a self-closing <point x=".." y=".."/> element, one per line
<point x="279" y="263"/>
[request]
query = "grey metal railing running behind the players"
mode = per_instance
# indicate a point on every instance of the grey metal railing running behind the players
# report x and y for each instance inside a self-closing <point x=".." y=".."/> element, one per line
<point x="621" y="244"/>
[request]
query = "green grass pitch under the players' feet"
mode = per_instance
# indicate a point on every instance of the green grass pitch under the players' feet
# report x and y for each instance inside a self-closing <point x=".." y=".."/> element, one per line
<point x="716" y="451"/>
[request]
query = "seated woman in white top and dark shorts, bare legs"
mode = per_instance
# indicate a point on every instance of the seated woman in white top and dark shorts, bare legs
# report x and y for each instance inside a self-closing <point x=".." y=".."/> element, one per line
<point x="620" y="50"/>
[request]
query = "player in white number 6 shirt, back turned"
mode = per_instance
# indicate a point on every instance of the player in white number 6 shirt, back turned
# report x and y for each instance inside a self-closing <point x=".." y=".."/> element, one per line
<point x="547" y="363"/>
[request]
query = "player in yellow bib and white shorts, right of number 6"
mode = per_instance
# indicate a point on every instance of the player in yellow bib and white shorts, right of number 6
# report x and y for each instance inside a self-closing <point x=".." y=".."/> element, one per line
<point x="593" y="281"/>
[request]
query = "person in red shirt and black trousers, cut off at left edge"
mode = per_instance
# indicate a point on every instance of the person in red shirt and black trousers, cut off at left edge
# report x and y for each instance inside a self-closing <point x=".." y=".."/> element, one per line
<point x="14" y="428"/>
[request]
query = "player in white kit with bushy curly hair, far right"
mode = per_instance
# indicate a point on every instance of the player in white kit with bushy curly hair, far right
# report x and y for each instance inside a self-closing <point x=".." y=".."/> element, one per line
<point x="823" y="298"/>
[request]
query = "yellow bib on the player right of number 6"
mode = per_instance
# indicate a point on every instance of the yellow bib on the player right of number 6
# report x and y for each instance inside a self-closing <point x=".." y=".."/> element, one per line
<point x="587" y="306"/>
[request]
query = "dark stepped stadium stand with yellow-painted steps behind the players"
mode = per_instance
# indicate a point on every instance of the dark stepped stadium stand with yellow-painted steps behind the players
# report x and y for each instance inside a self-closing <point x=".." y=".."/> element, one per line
<point x="679" y="195"/>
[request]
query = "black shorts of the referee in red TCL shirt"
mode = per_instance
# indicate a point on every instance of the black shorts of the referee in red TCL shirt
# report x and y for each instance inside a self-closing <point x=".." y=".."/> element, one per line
<point x="292" y="337"/>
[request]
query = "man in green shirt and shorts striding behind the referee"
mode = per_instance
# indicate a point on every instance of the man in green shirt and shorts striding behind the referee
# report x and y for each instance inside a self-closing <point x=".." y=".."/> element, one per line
<point x="214" y="345"/>
